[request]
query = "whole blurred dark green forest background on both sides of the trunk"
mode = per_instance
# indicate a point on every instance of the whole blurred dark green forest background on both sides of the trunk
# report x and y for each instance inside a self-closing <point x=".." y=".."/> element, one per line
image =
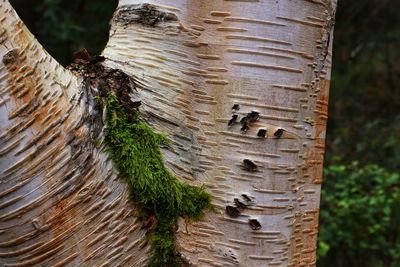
<point x="360" y="205"/>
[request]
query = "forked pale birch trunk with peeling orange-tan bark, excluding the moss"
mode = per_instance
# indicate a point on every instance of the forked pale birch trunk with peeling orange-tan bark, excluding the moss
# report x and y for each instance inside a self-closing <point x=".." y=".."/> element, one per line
<point x="200" y="64"/>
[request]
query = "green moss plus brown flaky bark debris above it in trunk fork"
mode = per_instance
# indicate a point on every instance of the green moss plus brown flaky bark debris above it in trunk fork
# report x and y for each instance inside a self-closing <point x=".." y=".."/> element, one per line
<point x="134" y="147"/>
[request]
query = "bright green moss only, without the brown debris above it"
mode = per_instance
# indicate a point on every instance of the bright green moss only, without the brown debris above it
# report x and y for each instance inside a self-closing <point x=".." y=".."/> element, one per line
<point x="135" y="150"/>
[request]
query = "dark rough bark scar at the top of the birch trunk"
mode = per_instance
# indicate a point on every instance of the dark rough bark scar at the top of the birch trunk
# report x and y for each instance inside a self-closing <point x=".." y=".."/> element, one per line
<point x="145" y="14"/>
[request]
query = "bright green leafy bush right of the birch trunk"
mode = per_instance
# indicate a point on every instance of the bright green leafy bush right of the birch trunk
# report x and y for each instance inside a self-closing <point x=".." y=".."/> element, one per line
<point x="360" y="217"/>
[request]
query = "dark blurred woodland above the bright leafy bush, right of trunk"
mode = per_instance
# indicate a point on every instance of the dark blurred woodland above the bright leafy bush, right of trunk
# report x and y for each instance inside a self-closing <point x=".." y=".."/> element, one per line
<point x="364" y="107"/>
